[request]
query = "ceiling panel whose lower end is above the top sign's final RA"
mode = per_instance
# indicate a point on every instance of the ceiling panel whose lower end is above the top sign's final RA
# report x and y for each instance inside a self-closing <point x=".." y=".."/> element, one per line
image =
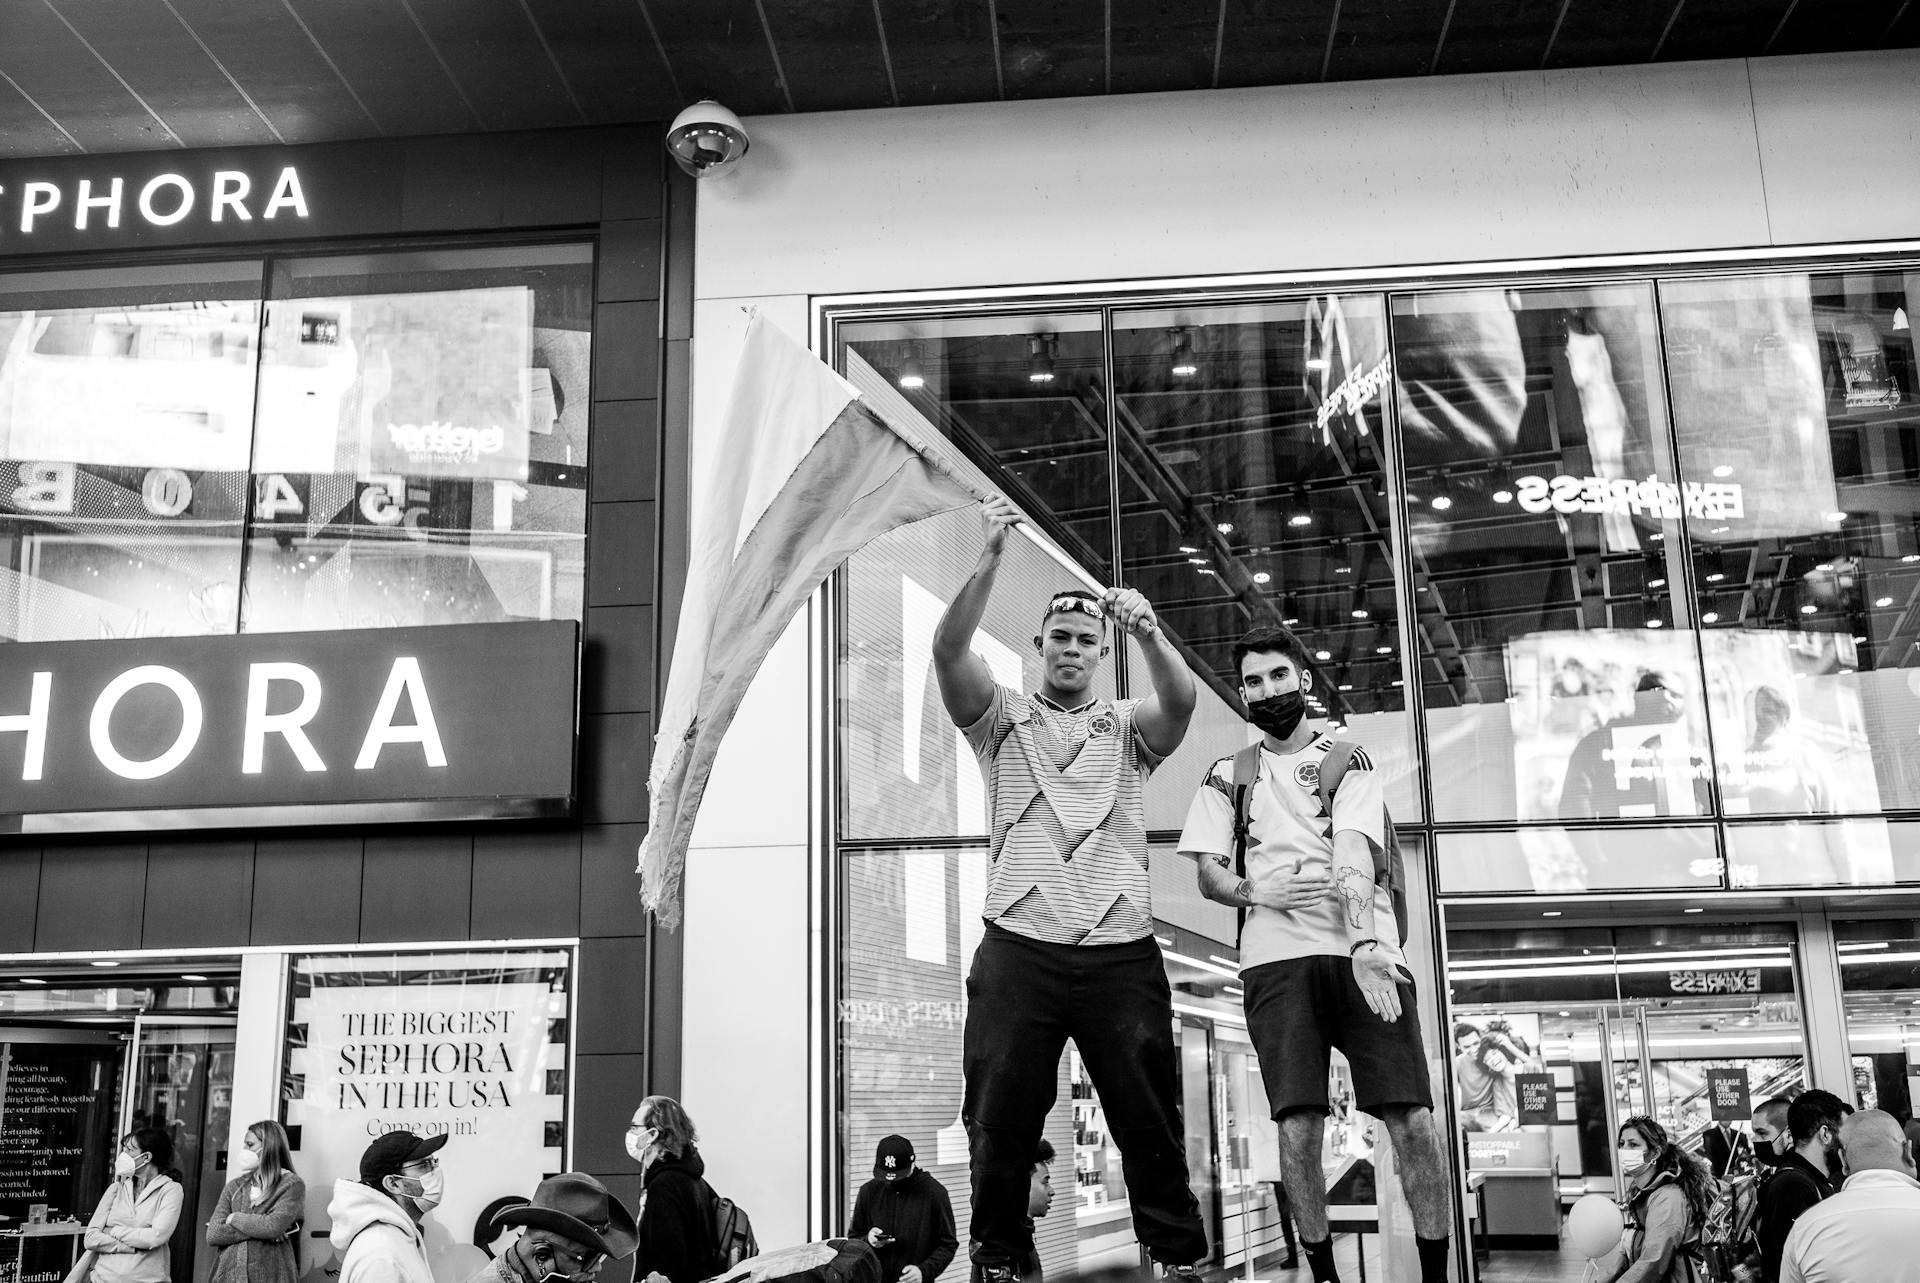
<point x="149" y="47"/>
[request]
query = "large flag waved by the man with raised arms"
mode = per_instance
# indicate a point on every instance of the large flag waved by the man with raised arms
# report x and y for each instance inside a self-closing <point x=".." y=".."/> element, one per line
<point x="805" y="477"/>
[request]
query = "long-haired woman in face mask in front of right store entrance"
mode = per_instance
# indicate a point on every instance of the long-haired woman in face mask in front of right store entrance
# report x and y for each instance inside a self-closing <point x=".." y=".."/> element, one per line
<point x="1668" y="1199"/>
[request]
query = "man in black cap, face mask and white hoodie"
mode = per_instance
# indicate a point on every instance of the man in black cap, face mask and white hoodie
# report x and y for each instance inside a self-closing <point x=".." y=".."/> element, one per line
<point x="377" y="1219"/>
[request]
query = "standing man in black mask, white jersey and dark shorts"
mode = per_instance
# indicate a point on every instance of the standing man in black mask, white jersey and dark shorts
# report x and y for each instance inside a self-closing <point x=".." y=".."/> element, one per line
<point x="1295" y="835"/>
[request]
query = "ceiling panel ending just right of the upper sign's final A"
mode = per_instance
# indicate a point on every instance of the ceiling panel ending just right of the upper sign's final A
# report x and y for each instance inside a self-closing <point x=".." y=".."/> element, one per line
<point x="274" y="61"/>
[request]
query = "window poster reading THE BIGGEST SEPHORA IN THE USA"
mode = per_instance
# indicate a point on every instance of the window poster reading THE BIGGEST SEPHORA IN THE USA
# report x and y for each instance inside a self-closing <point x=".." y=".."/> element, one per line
<point x="468" y="1046"/>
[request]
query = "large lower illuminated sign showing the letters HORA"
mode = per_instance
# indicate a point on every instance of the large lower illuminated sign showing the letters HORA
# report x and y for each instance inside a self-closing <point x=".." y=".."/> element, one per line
<point x="289" y="729"/>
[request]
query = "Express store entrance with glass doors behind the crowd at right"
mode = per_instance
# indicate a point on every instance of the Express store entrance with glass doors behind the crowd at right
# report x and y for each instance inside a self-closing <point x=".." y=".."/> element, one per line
<point x="1564" y="1034"/>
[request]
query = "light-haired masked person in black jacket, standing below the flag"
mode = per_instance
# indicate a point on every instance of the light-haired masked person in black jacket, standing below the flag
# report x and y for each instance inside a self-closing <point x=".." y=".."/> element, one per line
<point x="677" y="1205"/>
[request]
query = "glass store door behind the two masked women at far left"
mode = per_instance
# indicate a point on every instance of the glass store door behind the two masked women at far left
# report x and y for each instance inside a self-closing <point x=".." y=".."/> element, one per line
<point x="180" y="1080"/>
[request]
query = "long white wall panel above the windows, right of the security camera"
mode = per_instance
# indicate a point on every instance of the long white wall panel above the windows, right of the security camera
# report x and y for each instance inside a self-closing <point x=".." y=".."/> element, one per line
<point x="1239" y="182"/>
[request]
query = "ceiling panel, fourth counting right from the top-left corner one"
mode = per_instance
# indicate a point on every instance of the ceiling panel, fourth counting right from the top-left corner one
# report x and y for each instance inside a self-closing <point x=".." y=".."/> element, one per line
<point x="385" y="59"/>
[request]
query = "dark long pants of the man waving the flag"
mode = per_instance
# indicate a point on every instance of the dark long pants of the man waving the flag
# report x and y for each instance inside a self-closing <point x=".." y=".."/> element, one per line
<point x="1024" y="1002"/>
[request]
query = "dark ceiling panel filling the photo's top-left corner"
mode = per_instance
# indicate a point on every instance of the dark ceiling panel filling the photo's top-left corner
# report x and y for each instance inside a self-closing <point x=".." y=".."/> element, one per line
<point x="51" y="64"/>
